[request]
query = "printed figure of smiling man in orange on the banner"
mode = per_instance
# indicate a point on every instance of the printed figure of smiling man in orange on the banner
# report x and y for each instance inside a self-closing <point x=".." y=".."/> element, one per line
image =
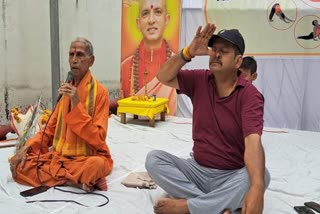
<point x="141" y="68"/>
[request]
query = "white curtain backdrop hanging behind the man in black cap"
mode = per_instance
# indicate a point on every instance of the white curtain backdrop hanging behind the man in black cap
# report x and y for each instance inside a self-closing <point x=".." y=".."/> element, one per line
<point x="289" y="84"/>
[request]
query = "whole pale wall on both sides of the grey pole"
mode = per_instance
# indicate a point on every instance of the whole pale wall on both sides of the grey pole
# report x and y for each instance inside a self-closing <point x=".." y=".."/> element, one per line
<point x="25" y="58"/>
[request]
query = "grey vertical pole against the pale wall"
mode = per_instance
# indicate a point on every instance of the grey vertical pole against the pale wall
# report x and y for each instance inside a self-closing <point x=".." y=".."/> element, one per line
<point x="55" y="51"/>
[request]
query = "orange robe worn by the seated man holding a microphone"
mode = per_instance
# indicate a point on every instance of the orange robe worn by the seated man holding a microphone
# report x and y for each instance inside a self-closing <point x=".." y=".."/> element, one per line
<point x="58" y="168"/>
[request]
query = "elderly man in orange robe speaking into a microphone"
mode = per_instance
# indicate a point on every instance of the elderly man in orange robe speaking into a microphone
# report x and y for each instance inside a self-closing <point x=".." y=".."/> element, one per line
<point x="73" y="149"/>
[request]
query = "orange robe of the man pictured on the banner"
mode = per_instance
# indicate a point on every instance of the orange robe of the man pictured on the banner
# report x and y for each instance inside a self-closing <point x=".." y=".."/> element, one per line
<point x="149" y="61"/>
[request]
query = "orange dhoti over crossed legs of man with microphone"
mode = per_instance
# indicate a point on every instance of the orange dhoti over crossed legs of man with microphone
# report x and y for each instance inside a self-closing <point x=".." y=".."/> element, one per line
<point x="55" y="169"/>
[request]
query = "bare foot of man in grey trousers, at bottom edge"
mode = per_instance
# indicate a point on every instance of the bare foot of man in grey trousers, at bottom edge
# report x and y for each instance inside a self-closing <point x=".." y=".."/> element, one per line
<point x="171" y="206"/>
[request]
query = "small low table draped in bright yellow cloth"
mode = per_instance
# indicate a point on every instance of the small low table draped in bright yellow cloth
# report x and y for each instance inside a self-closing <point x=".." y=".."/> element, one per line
<point x="148" y="108"/>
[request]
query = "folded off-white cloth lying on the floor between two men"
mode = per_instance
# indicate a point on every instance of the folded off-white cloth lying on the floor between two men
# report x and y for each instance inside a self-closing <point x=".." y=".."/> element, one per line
<point x="140" y="180"/>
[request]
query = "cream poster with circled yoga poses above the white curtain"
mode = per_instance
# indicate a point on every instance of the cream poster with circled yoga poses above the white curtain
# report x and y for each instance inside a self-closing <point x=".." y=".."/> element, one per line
<point x="271" y="27"/>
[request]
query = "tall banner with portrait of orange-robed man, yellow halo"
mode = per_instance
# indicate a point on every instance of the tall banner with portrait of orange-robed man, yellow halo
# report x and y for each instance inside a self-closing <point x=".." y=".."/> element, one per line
<point x="149" y="36"/>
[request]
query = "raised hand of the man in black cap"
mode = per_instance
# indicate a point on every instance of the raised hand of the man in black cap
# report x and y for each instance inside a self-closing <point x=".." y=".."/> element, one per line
<point x="199" y="44"/>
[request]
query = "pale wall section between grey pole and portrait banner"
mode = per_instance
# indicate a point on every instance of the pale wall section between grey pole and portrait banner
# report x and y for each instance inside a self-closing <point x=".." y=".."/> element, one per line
<point x="100" y="22"/>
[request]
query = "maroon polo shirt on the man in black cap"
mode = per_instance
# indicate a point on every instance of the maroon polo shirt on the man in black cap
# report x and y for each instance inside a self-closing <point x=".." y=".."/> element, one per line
<point x="221" y="124"/>
